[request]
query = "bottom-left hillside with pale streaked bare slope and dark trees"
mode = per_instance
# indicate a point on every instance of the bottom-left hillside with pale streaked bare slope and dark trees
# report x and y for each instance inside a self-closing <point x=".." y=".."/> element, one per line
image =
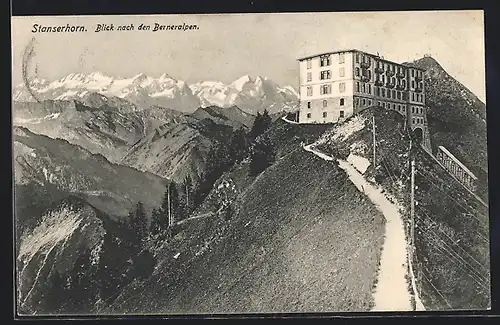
<point x="74" y="260"/>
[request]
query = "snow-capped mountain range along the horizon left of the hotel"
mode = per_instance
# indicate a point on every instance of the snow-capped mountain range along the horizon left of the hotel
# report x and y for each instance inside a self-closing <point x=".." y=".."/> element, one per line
<point x="249" y="93"/>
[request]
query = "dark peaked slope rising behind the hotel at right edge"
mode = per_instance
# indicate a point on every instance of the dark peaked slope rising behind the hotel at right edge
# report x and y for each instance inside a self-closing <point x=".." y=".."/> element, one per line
<point x="457" y="119"/>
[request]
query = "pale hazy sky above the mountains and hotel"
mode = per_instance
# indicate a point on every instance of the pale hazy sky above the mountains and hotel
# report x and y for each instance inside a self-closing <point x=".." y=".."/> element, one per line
<point x="226" y="47"/>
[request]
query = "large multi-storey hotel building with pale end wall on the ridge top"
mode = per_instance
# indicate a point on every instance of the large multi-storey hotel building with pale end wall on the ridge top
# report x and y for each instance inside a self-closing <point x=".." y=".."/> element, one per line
<point x="336" y="85"/>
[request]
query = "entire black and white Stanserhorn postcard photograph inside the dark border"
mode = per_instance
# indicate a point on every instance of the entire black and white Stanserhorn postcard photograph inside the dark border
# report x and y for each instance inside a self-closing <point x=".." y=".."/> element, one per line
<point x="250" y="163"/>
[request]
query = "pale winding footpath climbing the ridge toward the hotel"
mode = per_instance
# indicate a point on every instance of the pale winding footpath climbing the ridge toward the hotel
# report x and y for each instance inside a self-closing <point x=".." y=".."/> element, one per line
<point x="392" y="292"/>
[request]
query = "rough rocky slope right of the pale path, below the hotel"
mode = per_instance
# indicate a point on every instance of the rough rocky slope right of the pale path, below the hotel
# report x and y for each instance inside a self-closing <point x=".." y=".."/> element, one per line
<point x="452" y="247"/>
